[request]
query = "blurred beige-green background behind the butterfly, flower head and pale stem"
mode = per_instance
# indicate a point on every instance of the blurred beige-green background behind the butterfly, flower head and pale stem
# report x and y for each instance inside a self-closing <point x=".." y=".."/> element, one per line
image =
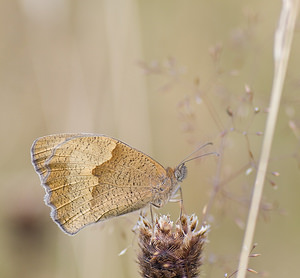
<point x="165" y="77"/>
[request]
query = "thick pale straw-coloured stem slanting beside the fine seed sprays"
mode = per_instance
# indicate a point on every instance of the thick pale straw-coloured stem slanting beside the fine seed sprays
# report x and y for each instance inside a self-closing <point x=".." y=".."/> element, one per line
<point x="282" y="46"/>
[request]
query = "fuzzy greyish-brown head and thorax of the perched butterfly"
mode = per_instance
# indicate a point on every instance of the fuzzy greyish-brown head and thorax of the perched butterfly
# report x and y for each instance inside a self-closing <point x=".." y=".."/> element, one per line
<point x="169" y="185"/>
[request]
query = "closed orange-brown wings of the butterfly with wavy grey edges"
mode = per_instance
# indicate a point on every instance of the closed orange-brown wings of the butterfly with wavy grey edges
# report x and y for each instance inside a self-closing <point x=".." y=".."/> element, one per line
<point x="89" y="178"/>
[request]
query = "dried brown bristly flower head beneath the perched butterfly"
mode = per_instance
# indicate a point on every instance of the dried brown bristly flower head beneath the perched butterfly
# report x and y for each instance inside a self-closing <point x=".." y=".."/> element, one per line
<point x="170" y="252"/>
